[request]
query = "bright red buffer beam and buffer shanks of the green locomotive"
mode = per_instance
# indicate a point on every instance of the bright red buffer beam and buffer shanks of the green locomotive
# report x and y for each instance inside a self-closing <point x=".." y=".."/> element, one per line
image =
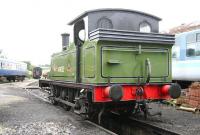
<point x="152" y="92"/>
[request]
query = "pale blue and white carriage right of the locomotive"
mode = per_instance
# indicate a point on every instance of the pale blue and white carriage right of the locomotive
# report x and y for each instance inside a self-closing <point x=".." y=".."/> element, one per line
<point x="186" y="58"/>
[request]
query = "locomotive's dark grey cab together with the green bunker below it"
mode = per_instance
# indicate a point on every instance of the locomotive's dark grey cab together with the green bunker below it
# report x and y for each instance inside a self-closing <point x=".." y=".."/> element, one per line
<point x="106" y="27"/>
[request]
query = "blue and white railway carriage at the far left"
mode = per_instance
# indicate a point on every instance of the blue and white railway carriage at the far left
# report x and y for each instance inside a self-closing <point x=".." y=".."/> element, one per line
<point x="12" y="70"/>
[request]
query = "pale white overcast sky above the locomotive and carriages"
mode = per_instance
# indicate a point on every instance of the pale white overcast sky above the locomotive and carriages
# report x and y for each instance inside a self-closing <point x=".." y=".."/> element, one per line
<point x="30" y="29"/>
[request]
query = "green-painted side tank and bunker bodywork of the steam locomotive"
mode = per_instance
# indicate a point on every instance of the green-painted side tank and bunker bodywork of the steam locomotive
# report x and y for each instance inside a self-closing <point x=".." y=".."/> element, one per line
<point x="122" y="62"/>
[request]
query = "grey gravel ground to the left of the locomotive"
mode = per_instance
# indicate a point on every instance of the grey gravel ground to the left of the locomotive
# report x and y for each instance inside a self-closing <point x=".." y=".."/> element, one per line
<point x="24" y="114"/>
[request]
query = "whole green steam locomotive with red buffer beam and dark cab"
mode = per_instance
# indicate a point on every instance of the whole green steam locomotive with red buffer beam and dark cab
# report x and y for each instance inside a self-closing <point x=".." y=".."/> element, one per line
<point x="116" y="61"/>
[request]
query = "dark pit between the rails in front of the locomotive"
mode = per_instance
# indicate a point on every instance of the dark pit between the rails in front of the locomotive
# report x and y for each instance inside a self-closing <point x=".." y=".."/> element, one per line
<point x="132" y="126"/>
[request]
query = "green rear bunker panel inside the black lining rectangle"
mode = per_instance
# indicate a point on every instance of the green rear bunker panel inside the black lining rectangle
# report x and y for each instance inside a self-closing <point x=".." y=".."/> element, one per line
<point x="126" y="62"/>
